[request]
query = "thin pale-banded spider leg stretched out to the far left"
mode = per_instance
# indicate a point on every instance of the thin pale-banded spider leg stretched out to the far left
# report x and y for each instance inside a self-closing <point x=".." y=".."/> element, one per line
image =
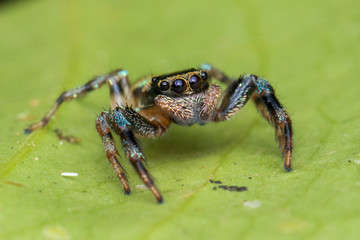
<point x="119" y="94"/>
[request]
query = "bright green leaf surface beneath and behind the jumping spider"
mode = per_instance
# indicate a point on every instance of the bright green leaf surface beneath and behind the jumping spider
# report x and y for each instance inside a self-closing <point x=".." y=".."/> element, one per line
<point x="308" y="50"/>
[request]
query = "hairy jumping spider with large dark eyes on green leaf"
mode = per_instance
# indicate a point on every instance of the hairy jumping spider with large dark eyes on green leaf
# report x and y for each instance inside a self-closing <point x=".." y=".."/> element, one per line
<point x="185" y="98"/>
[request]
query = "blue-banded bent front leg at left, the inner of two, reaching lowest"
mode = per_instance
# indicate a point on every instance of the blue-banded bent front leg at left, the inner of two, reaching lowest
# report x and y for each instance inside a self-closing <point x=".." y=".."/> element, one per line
<point x="125" y="122"/>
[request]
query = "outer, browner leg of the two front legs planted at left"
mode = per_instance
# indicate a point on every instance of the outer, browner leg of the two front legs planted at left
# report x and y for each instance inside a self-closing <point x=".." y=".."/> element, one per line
<point x="104" y="130"/>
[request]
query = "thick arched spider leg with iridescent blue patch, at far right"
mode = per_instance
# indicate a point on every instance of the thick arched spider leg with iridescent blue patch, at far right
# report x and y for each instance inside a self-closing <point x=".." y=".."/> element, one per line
<point x="239" y="92"/>
